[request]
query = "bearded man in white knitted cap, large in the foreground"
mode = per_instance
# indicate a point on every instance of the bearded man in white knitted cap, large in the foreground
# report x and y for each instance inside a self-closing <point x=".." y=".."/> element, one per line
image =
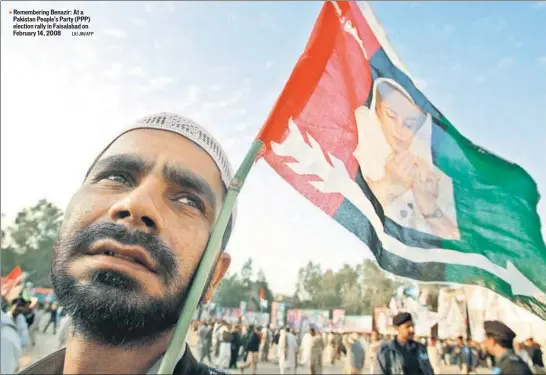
<point x="131" y="241"/>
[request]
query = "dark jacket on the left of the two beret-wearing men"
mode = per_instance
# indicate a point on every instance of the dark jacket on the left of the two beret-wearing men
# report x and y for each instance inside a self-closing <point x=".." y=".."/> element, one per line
<point x="389" y="360"/>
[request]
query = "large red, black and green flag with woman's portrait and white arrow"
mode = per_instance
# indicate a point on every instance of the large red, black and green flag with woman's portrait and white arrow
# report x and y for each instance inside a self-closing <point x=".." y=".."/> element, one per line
<point x="353" y="133"/>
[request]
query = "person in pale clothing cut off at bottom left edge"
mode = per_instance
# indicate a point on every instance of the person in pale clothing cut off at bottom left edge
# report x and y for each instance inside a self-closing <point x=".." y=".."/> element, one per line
<point x="11" y="348"/>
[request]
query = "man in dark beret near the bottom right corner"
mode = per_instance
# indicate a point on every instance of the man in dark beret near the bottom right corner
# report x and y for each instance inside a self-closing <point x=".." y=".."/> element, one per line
<point x="499" y="341"/>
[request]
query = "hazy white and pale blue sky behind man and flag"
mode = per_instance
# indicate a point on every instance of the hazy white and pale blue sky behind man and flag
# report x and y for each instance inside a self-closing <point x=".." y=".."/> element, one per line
<point x="483" y="64"/>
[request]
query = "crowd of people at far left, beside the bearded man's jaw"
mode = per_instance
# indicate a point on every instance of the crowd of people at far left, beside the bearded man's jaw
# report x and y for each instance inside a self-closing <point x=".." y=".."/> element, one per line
<point x="22" y="319"/>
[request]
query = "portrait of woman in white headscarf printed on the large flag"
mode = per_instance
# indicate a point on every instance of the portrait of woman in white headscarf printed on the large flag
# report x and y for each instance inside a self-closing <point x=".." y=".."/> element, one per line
<point x="395" y="157"/>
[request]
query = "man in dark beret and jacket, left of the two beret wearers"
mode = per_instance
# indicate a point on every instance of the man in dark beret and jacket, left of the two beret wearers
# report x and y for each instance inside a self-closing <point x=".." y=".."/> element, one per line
<point x="403" y="355"/>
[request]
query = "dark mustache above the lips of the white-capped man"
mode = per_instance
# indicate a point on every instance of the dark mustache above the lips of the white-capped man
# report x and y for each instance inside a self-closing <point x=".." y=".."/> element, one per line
<point x="160" y="253"/>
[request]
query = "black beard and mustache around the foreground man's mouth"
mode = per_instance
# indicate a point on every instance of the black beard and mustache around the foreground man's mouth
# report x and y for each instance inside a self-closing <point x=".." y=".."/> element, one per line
<point x="112" y="308"/>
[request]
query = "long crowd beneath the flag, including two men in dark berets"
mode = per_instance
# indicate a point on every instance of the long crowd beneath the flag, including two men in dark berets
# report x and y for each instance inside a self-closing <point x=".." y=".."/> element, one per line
<point x="245" y="346"/>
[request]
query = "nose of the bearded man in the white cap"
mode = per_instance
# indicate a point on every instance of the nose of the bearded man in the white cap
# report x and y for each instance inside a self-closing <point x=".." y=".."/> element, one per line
<point x="138" y="209"/>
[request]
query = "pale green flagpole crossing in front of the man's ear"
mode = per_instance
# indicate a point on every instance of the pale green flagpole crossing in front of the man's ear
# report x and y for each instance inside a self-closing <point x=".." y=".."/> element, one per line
<point x="207" y="261"/>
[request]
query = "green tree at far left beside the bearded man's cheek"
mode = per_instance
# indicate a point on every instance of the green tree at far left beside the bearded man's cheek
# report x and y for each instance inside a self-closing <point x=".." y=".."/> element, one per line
<point x="32" y="236"/>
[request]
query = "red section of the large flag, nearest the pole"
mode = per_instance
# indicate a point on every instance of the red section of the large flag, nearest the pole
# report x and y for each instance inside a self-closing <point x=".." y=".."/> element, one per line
<point x="331" y="79"/>
